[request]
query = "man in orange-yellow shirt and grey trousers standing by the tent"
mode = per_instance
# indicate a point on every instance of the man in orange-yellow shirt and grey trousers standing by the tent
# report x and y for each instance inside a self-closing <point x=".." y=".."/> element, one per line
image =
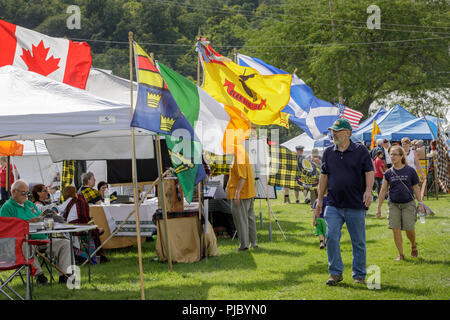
<point x="241" y="190"/>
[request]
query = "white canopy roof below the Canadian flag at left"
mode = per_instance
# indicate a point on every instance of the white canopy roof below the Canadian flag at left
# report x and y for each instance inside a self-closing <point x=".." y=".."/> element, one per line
<point x="37" y="107"/>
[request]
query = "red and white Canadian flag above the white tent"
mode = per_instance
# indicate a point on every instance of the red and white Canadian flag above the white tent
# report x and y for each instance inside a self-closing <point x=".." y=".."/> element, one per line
<point x="60" y="59"/>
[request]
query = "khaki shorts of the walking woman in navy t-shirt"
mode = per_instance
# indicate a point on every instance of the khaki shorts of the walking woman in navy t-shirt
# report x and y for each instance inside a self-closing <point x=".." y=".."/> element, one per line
<point x="402" y="215"/>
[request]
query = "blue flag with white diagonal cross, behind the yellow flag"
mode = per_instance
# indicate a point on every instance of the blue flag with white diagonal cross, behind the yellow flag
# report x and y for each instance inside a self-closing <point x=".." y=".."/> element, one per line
<point x="312" y="115"/>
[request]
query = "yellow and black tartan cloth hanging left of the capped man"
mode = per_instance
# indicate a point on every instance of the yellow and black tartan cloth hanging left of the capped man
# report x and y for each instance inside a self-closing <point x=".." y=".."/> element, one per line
<point x="283" y="168"/>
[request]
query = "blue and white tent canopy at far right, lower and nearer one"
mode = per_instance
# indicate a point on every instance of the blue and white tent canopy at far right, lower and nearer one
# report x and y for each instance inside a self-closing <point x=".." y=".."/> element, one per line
<point x="413" y="129"/>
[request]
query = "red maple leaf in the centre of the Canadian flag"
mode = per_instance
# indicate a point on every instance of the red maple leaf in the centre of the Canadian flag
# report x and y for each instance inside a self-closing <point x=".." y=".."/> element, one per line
<point x="37" y="61"/>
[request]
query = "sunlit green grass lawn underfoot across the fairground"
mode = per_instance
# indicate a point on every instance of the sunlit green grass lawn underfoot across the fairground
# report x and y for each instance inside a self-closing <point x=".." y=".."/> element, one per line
<point x="292" y="269"/>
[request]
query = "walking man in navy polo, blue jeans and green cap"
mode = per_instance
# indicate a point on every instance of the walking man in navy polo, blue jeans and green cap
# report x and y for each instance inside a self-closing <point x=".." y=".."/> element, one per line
<point x="348" y="174"/>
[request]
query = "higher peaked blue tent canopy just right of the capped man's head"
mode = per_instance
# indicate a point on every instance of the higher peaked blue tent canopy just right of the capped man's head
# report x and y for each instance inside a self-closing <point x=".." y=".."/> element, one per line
<point x="396" y="116"/>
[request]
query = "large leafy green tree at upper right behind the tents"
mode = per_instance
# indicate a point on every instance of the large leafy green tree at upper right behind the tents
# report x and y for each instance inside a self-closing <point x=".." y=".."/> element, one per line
<point x="370" y="63"/>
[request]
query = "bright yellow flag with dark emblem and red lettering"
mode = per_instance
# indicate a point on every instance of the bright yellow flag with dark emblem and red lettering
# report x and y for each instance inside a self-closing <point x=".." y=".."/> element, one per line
<point x="260" y="98"/>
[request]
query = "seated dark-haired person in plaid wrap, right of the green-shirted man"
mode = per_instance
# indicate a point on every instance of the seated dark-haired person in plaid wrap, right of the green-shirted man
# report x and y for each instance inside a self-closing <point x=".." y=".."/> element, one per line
<point x="75" y="209"/>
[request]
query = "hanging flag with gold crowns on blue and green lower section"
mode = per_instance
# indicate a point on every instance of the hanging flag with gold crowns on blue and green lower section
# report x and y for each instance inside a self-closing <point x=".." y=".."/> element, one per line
<point x="157" y="111"/>
